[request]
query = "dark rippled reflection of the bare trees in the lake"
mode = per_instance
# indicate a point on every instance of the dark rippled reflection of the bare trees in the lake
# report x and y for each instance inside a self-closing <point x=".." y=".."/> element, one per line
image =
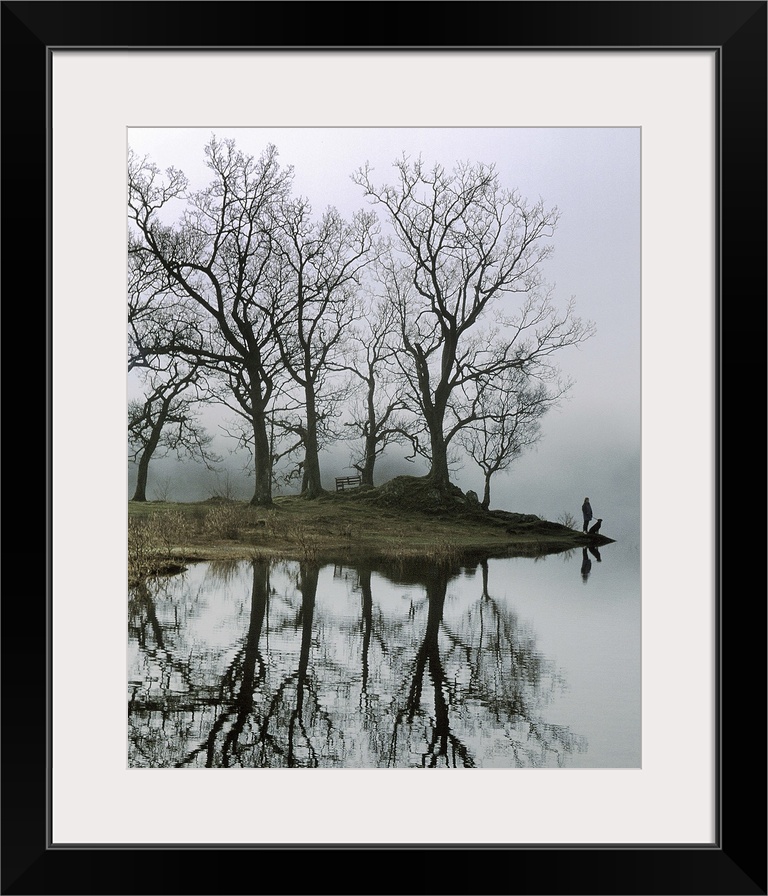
<point x="263" y="665"/>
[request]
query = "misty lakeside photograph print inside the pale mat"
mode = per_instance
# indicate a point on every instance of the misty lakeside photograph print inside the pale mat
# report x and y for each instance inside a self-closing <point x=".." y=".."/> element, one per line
<point x="383" y="436"/>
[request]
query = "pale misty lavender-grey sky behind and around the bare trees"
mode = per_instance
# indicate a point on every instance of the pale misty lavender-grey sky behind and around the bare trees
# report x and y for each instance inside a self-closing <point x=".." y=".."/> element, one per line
<point x="591" y="444"/>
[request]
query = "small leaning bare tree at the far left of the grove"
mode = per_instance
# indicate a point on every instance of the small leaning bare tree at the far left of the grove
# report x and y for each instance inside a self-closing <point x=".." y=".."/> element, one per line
<point x="166" y="421"/>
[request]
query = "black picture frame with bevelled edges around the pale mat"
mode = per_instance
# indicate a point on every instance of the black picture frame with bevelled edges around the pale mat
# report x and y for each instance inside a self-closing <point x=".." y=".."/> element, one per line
<point x="736" y="862"/>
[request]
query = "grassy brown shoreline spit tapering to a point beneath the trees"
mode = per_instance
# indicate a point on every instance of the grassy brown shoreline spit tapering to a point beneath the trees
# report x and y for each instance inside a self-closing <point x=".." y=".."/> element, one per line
<point x="401" y="520"/>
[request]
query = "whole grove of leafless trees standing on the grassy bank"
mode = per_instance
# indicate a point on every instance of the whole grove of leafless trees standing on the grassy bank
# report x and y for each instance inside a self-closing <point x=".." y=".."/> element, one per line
<point x="423" y="318"/>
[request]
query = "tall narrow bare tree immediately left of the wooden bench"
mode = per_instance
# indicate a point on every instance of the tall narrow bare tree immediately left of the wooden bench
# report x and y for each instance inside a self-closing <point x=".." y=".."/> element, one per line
<point x="318" y="270"/>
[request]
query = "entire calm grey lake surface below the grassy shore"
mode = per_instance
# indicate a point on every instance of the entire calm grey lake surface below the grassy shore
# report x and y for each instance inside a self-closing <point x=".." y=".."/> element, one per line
<point x="507" y="663"/>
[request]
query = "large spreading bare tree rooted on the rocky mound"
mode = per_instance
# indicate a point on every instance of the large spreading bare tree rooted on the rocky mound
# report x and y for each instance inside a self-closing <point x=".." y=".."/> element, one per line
<point x="465" y="275"/>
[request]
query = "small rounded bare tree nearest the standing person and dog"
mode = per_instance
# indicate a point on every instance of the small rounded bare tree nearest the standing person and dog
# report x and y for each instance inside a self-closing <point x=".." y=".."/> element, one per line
<point x="508" y="413"/>
